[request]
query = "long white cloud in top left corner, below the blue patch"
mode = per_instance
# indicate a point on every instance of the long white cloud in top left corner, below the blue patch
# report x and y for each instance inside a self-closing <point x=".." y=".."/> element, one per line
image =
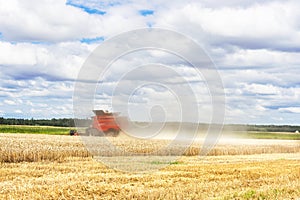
<point x="55" y="21"/>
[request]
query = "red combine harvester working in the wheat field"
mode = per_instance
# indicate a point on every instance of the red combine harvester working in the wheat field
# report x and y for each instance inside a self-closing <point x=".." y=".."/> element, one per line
<point x="104" y="124"/>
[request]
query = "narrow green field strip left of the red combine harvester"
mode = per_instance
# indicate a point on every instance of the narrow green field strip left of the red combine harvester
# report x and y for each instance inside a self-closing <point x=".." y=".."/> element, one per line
<point x="50" y="130"/>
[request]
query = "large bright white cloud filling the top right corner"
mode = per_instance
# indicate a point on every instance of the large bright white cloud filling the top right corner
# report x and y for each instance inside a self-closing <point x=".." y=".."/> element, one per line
<point x="260" y="25"/>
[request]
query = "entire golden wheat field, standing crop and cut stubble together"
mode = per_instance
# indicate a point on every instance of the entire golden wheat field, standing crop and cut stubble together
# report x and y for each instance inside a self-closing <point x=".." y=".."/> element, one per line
<point x="60" y="167"/>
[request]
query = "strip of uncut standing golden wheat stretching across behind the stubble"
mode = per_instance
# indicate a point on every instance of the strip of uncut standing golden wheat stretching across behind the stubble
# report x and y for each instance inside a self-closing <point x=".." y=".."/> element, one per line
<point x="22" y="147"/>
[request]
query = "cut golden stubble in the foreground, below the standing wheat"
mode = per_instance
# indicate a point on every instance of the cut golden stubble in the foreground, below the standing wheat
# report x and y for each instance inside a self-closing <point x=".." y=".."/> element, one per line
<point x="267" y="176"/>
